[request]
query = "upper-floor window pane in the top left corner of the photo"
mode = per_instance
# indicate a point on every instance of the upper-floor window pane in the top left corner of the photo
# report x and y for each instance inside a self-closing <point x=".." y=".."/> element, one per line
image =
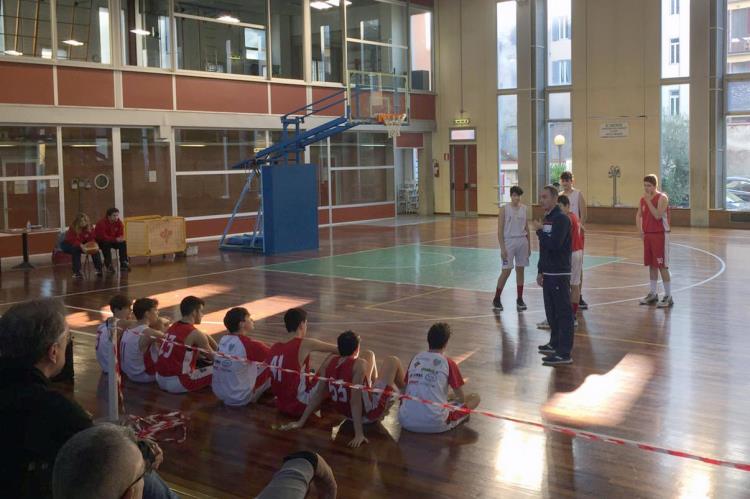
<point x="25" y="28"/>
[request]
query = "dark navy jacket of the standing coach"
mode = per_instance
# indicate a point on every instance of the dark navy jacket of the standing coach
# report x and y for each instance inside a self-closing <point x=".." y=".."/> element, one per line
<point x="555" y="243"/>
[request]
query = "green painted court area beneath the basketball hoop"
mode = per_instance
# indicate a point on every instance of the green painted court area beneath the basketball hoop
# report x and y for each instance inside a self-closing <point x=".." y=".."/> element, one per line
<point x="474" y="269"/>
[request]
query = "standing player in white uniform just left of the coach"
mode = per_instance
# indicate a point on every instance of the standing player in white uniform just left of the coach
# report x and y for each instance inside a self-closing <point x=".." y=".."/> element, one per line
<point x="515" y="246"/>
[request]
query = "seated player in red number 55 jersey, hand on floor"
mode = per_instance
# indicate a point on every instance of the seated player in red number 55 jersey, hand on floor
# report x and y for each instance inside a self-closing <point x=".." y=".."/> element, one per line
<point x="360" y="406"/>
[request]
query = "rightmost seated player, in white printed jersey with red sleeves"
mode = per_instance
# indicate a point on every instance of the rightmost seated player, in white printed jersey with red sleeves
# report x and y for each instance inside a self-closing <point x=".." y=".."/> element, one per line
<point x="431" y="375"/>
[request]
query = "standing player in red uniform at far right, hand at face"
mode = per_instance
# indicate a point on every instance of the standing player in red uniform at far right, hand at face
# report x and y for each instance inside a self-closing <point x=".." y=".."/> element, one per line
<point x="652" y="221"/>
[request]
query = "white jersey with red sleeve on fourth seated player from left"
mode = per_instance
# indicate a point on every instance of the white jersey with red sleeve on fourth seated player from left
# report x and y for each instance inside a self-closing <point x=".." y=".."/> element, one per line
<point x="238" y="382"/>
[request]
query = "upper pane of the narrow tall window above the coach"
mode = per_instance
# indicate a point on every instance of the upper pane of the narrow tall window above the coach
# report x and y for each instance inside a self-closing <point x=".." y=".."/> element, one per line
<point x="559" y="36"/>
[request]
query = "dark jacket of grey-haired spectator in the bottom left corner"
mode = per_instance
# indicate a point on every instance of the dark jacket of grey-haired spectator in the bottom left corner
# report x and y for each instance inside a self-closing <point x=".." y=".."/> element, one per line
<point x="35" y="422"/>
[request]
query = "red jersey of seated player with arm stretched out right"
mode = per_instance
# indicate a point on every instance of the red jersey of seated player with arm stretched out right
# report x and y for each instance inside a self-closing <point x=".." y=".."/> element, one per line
<point x="292" y="390"/>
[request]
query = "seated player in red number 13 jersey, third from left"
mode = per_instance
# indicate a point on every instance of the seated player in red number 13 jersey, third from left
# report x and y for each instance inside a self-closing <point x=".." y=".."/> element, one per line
<point x="177" y="366"/>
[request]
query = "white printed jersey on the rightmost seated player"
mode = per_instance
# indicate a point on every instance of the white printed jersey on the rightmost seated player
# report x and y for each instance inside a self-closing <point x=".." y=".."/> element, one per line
<point x="429" y="376"/>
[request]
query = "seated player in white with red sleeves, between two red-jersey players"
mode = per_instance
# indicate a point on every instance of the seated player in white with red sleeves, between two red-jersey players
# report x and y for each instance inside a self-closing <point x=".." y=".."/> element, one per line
<point x="240" y="382"/>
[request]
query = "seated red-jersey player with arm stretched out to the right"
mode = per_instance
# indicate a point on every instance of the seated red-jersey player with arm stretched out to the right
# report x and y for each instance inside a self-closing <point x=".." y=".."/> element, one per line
<point x="292" y="390"/>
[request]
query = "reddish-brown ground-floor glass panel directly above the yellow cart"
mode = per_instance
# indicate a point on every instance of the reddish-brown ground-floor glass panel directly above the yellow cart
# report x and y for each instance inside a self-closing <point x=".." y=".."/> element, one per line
<point x="146" y="174"/>
